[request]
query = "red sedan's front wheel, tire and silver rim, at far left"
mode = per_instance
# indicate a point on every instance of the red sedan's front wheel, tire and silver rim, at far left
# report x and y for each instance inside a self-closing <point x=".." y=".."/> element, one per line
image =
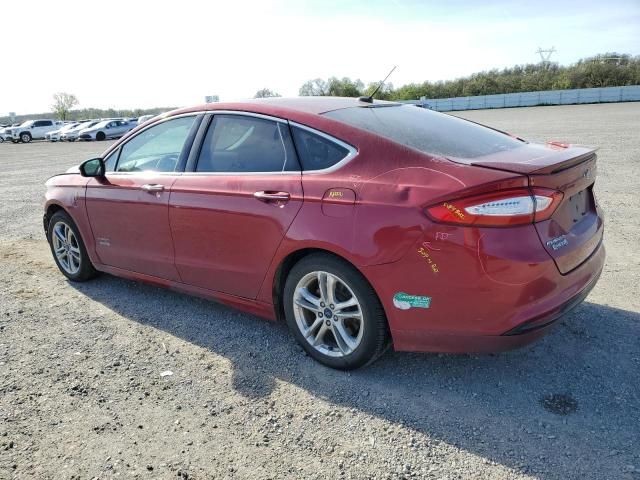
<point x="68" y="248"/>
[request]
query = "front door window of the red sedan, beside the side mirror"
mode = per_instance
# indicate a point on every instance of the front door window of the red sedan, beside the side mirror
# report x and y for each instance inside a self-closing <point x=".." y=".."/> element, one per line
<point x="157" y="149"/>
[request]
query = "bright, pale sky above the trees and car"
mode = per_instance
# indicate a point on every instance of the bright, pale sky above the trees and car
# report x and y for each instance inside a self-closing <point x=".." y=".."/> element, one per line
<point x="141" y="54"/>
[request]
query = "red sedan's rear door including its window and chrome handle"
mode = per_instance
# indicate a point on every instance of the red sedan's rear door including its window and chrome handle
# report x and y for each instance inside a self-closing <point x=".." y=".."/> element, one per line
<point x="230" y="213"/>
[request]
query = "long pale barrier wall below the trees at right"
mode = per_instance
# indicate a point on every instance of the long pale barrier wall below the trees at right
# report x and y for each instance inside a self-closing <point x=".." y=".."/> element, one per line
<point x="629" y="93"/>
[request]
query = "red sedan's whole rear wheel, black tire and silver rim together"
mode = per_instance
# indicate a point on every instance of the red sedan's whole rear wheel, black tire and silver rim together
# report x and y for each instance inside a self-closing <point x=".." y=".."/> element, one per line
<point x="334" y="313"/>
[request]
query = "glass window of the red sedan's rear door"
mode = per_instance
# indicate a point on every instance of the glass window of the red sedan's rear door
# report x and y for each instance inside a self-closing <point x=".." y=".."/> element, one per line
<point x="237" y="143"/>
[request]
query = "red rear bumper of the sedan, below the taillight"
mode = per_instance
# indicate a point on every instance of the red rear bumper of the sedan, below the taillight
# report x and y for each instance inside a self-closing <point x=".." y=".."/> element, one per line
<point x="494" y="299"/>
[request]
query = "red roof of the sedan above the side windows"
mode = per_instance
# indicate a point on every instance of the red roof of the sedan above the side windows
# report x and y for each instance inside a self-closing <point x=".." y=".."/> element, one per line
<point x="312" y="105"/>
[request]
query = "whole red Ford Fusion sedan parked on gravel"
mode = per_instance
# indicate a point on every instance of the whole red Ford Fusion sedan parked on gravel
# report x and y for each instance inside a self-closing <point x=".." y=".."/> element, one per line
<point x="362" y="224"/>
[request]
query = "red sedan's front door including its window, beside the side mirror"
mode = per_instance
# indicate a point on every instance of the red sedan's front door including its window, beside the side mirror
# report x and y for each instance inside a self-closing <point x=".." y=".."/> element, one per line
<point x="128" y="209"/>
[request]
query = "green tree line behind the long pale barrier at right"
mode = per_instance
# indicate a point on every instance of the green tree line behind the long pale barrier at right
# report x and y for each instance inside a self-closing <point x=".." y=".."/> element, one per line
<point x="603" y="70"/>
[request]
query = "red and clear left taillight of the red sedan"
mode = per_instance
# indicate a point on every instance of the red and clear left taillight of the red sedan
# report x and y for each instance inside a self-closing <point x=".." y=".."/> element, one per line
<point x="498" y="209"/>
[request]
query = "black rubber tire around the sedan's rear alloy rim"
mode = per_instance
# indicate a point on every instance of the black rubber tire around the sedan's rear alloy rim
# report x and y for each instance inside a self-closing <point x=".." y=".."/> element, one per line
<point x="375" y="337"/>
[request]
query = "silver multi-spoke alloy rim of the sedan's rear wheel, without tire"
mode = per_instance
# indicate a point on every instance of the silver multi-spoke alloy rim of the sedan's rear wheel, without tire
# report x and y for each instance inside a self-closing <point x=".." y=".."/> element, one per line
<point x="328" y="314"/>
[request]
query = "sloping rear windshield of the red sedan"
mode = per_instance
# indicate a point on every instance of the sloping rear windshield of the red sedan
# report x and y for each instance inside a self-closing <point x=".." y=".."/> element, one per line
<point x="427" y="131"/>
